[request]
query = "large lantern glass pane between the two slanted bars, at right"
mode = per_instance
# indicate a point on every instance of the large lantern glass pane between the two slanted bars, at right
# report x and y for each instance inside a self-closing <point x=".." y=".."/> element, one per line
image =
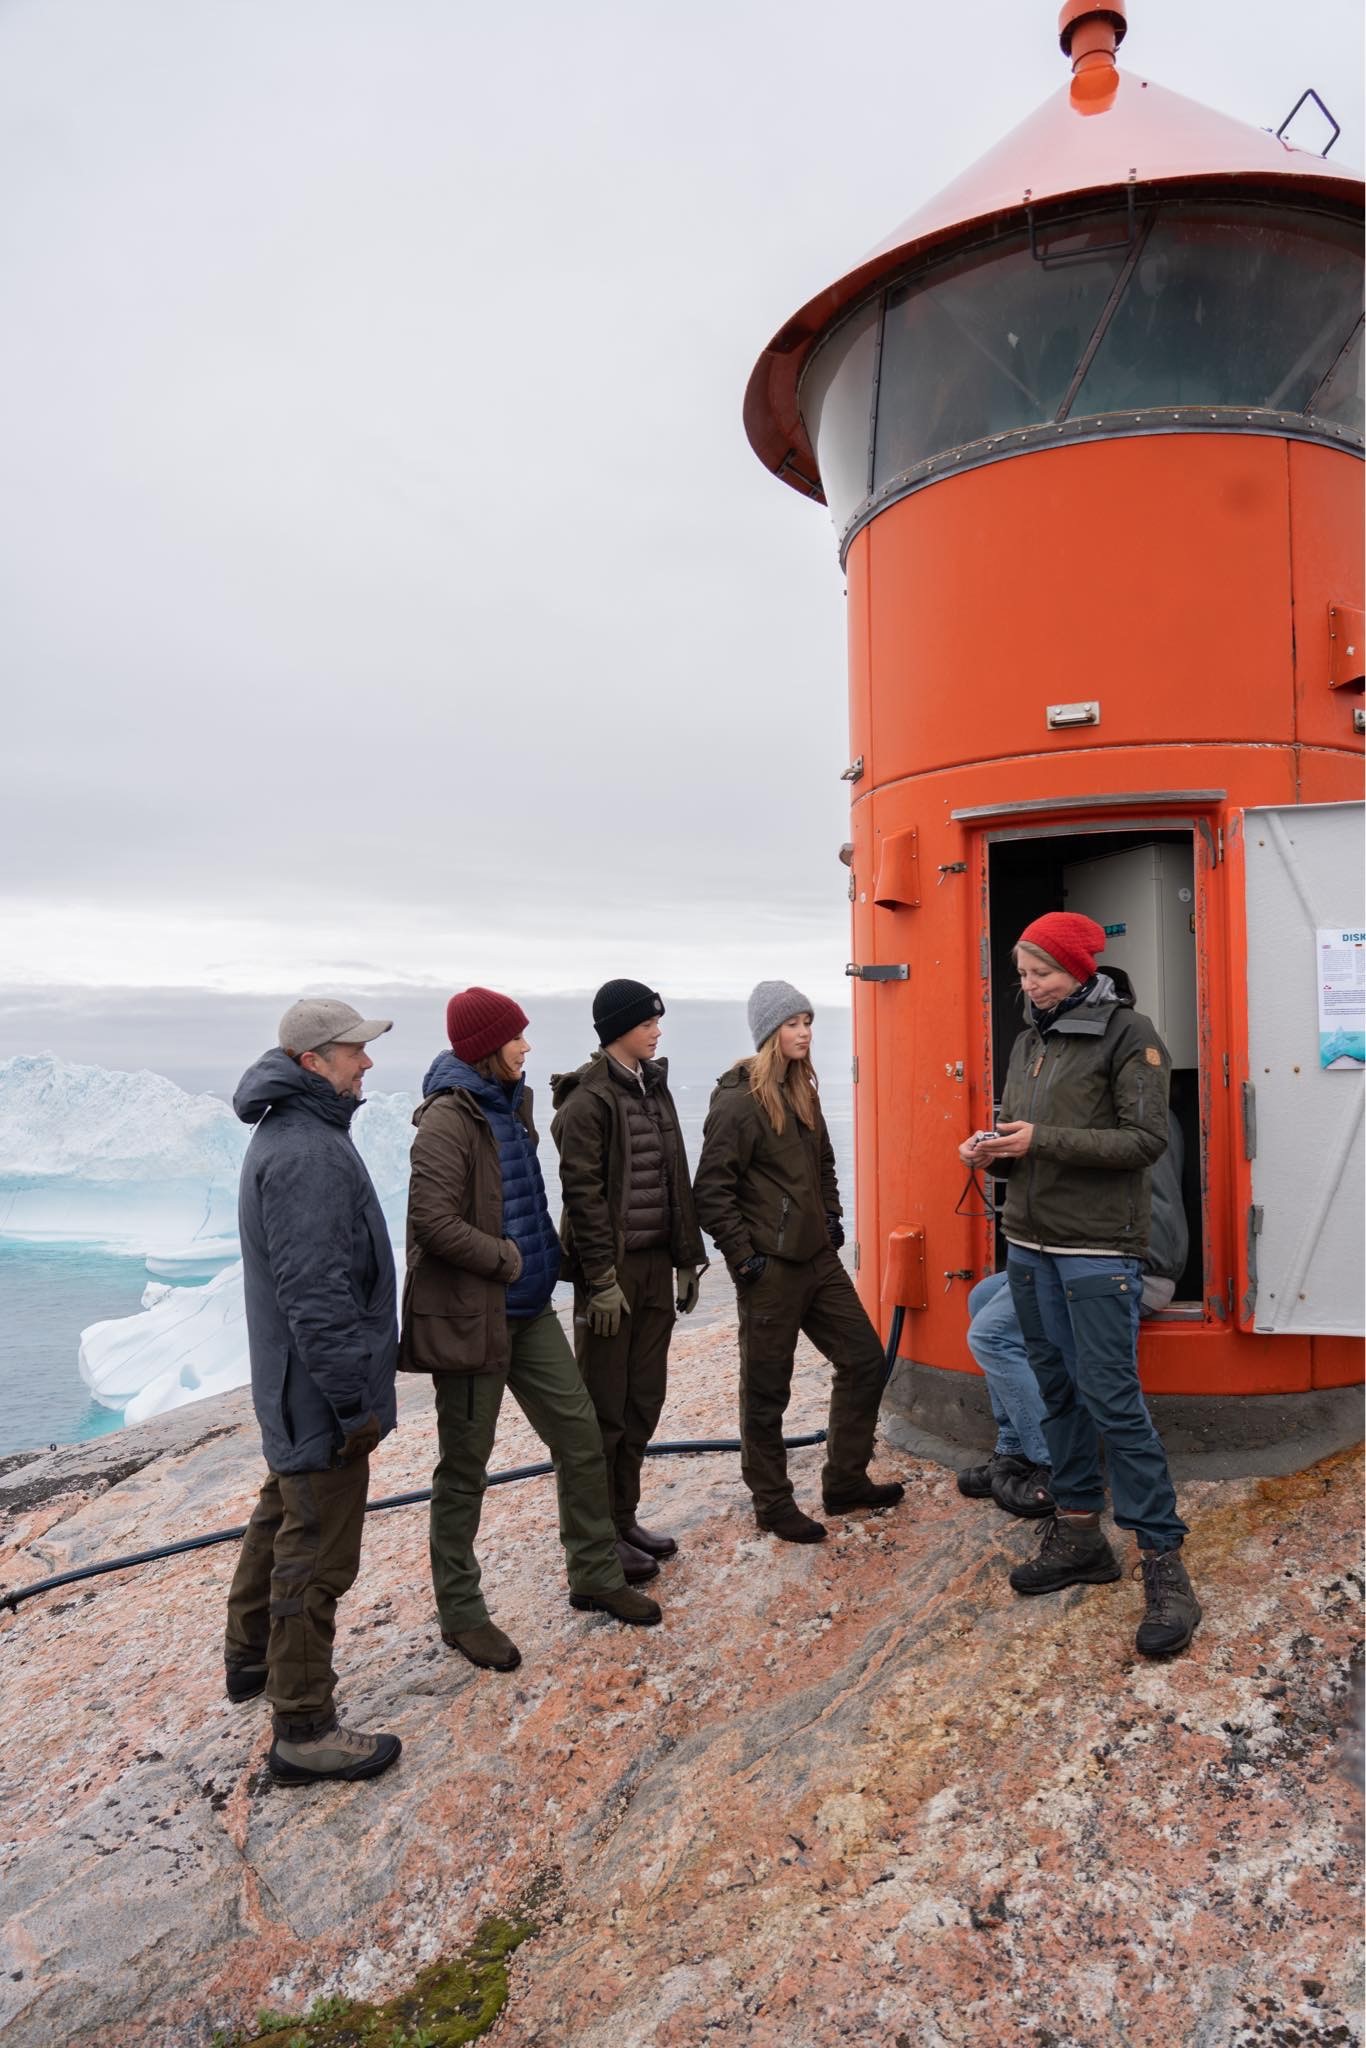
<point x="1228" y="308"/>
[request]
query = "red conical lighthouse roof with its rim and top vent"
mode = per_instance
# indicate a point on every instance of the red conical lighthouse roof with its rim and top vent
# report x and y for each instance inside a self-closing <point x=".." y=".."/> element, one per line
<point x="1105" y="130"/>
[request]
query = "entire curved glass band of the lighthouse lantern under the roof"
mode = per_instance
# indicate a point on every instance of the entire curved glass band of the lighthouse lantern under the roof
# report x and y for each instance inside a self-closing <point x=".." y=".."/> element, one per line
<point x="1230" y="306"/>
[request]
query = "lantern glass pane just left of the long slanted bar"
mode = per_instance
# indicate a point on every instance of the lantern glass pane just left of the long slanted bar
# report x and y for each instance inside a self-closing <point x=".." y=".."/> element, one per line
<point x="990" y="343"/>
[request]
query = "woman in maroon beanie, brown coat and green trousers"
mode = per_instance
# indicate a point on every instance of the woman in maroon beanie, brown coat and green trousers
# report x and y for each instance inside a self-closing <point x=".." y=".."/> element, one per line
<point x="482" y="1267"/>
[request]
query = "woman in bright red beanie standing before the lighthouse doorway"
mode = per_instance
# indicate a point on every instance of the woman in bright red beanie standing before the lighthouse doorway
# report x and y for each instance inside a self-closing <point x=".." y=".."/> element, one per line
<point x="1084" y="1115"/>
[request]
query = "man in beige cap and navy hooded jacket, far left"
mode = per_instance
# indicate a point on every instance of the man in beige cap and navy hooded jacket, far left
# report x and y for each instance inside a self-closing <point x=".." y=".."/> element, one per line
<point x="323" y="1332"/>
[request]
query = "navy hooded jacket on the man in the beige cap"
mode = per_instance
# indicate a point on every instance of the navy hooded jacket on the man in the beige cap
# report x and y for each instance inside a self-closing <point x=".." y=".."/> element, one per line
<point x="318" y="1269"/>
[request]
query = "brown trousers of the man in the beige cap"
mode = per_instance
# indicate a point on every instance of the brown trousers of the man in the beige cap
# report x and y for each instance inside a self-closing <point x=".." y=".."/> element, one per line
<point x="300" y="1553"/>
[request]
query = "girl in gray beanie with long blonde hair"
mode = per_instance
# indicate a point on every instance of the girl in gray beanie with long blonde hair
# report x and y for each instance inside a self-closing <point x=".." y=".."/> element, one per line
<point x="767" y="1195"/>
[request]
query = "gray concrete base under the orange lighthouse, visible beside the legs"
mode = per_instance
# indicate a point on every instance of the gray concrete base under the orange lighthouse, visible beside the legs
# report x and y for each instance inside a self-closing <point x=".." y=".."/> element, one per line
<point x="947" y="1418"/>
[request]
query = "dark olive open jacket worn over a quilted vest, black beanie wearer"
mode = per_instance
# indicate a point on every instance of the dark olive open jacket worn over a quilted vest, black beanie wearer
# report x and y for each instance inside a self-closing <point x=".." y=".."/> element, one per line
<point x="593" y="1134"/>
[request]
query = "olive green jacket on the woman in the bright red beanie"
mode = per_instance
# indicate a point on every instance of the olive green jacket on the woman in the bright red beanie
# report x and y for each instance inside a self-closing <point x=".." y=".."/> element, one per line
<point x="1095" y="1082"/>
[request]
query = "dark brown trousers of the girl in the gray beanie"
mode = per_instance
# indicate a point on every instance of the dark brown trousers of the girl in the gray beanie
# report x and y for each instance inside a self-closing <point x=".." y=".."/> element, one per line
<point x="814" y="1299"/>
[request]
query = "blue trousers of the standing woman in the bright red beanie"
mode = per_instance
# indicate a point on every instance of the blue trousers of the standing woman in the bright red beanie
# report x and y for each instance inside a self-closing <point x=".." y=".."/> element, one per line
<point x="1080" y="1322"/>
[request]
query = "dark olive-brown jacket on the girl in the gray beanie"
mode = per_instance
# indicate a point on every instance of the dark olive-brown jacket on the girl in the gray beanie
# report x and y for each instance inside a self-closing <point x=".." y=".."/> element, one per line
<point x="759" y="1189"/>
